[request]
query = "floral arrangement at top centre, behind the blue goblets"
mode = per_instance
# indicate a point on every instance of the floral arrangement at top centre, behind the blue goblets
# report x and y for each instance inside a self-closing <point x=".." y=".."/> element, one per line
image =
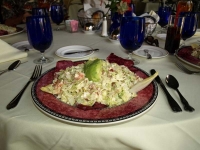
<point x="119" y="6"/>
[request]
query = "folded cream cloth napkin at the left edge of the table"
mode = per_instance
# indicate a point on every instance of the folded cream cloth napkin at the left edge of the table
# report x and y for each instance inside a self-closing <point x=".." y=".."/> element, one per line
<point x="8" y="53"/>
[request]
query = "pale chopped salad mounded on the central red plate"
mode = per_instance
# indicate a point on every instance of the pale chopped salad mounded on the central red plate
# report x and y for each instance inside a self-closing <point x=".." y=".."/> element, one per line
<point x="72" y="87"/>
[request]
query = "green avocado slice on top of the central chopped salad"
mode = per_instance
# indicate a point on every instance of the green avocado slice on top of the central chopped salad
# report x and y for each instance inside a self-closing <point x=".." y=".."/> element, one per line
<point x="93" y="70"/>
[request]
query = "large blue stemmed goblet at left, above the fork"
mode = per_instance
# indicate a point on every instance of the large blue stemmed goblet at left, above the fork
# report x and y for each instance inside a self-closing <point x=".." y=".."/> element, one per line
<point x="40" y="36"/>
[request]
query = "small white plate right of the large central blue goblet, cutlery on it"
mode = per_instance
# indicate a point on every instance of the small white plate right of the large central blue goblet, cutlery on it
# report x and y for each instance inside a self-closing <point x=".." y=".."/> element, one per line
<point x="156" y="52"/>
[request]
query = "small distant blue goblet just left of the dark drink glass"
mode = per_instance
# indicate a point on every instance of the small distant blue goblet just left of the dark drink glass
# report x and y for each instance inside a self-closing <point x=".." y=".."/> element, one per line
<point x="163" y="12"/>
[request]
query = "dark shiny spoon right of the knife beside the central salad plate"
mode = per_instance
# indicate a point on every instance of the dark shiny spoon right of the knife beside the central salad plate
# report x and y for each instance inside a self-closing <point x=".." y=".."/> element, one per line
<point x="173" y="83"/>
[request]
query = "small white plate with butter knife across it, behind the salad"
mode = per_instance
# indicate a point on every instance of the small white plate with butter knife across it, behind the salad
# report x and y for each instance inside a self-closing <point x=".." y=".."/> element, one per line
<point x="74" y="48"/>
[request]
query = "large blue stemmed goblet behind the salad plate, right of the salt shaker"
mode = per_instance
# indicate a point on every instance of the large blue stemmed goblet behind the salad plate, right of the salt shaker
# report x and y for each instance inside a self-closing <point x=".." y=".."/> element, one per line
<point x="132" y="34"/>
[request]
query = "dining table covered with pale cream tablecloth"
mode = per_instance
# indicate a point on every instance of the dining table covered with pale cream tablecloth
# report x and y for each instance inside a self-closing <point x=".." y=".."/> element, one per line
<point x="27" y="127"/>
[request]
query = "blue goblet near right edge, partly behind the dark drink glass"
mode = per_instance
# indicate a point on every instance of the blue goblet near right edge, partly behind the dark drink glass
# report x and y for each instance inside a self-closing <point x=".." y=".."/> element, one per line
<point x="190" y="25"/>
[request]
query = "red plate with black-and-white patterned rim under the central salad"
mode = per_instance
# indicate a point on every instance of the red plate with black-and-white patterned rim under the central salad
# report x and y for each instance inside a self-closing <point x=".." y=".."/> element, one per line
<point x="51" y="106"/>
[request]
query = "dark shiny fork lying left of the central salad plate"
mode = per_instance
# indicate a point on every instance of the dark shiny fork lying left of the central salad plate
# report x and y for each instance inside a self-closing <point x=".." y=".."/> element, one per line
<point x="36" y="73"/>
